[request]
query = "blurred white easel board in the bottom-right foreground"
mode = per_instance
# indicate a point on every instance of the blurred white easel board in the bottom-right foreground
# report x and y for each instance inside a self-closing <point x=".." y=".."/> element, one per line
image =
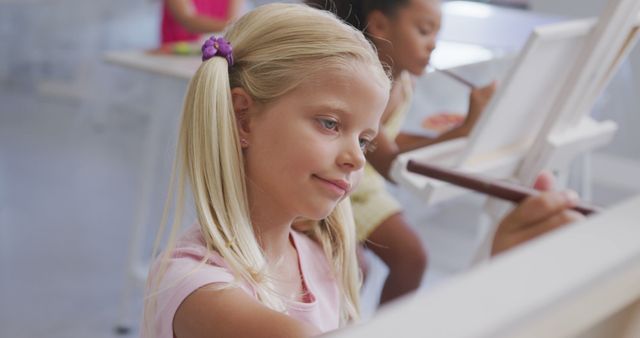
<point x="581" y="280"/>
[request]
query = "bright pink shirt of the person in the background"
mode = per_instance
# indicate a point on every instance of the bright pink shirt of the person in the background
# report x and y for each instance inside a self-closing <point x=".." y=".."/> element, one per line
<point x="172" y="31"/>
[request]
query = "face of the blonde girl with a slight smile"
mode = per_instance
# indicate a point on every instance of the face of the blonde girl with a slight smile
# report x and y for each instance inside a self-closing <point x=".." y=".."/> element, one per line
<point x="306" y="149"/>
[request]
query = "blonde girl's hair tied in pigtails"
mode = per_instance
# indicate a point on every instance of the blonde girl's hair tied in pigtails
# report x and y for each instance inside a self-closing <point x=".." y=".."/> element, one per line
<point x="276" y="47"/>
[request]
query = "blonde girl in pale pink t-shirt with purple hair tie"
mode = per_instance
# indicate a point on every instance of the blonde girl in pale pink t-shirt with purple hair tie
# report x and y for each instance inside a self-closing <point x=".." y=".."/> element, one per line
<point x="275" y="124"/>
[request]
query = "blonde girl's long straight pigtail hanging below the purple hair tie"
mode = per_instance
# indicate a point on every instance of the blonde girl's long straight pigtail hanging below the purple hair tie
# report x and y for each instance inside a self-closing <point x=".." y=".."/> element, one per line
<point x="213" y="157"/>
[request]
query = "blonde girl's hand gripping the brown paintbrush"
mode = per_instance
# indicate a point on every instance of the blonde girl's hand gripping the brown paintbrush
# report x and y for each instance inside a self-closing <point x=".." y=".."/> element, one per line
<point x="536" y="215"/>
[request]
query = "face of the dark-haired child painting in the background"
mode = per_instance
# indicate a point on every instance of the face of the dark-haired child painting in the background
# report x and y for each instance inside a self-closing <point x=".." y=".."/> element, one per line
<point x="412" y="32"/>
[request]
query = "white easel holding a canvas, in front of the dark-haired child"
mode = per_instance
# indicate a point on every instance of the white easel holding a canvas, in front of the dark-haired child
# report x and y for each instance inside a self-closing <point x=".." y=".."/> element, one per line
<point x="537" y="118"/>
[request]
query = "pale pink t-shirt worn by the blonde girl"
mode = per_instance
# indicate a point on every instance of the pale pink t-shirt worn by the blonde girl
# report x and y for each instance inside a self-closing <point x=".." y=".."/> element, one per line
<point x="320" y="310"/>
